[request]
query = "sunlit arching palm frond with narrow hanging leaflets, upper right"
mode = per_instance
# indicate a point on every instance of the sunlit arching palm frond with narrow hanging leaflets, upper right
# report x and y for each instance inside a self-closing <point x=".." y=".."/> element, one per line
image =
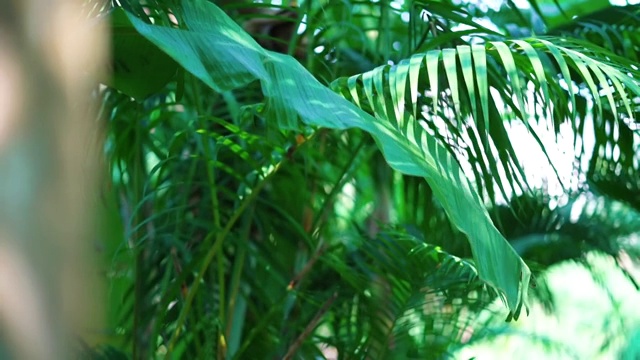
<point x="452" y="93"/>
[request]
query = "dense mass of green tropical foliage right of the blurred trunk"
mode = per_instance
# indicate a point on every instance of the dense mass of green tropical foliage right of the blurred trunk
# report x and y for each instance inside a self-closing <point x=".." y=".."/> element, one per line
<point x="302" y="178"/>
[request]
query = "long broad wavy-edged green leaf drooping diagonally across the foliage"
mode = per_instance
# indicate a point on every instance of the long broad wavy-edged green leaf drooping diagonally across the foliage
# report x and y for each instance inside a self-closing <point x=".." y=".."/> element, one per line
<point x="217" y="51"/>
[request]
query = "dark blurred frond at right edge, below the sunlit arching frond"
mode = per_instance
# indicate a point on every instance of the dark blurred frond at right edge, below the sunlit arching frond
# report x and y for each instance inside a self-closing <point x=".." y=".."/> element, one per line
<point x="548" y="234"/>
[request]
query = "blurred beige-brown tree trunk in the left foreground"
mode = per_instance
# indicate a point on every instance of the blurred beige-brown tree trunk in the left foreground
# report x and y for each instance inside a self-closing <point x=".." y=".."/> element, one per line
<point x="50" y="55"/>
